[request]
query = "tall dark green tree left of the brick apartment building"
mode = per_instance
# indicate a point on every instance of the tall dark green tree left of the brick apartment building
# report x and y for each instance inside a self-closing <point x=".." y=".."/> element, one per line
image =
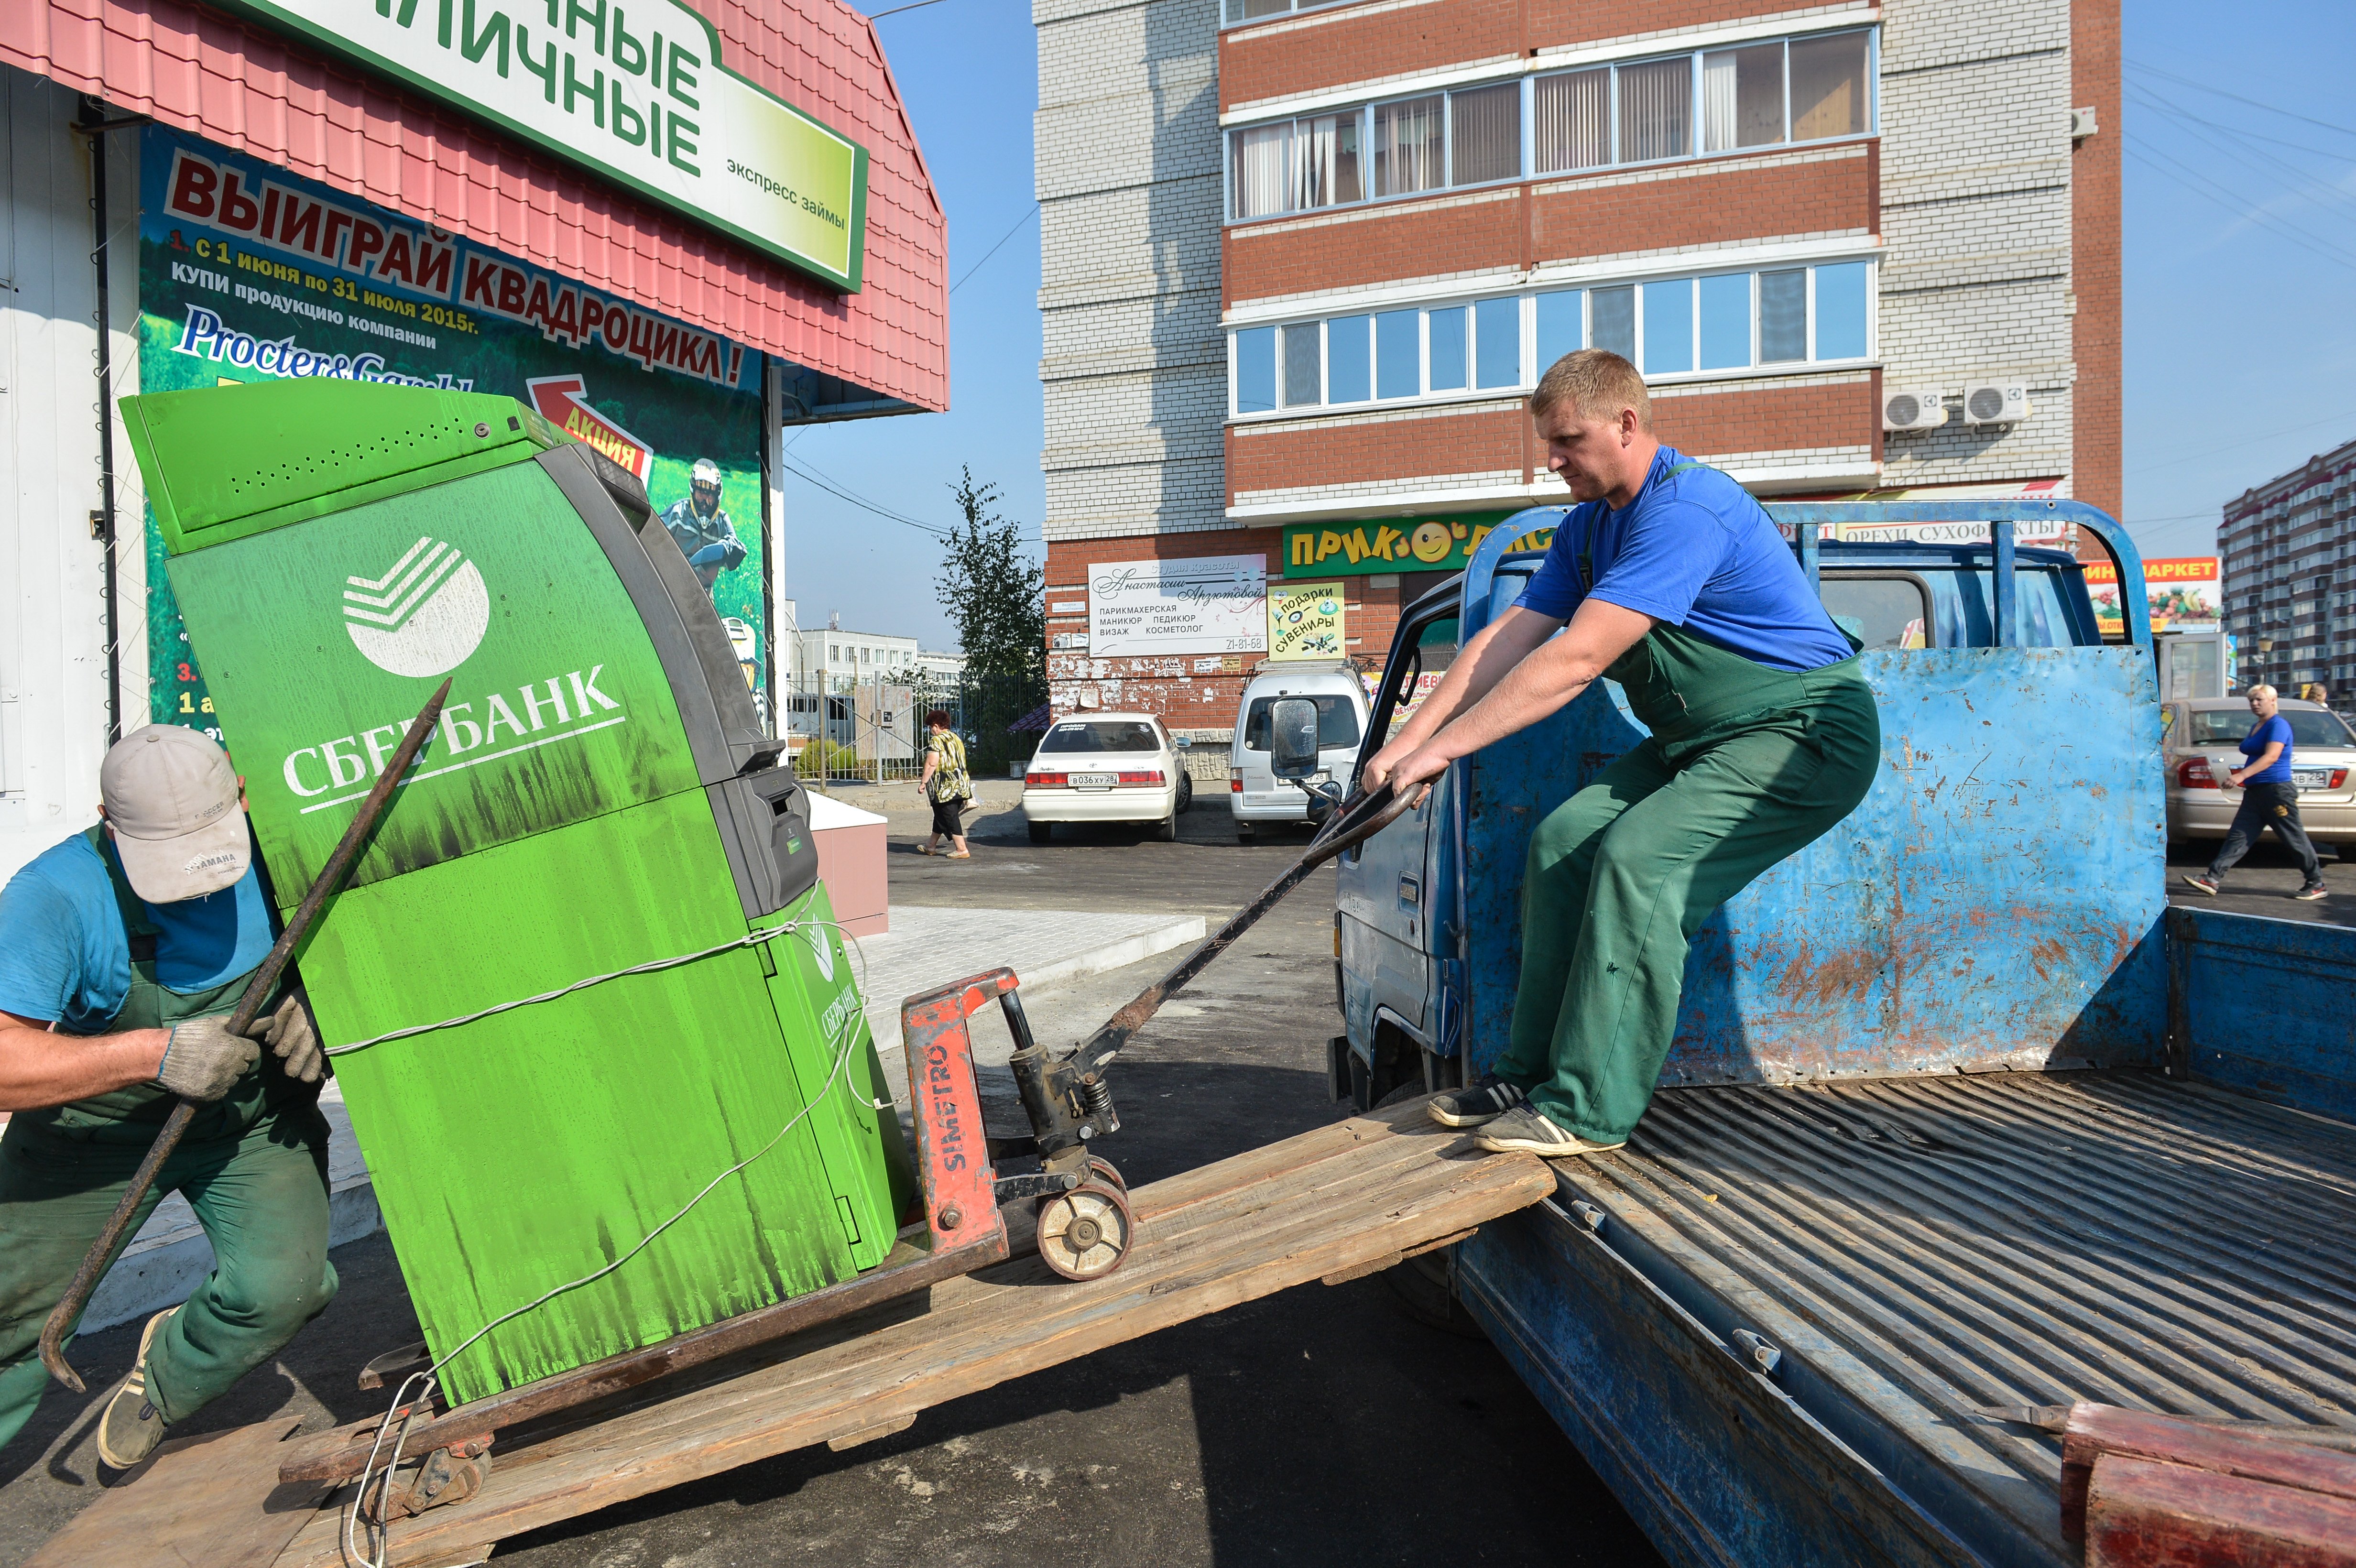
<point x="998" y="599"/>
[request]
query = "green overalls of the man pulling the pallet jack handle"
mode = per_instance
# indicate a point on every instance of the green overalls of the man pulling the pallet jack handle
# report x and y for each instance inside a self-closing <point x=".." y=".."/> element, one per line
<point x="1745" y="766"/>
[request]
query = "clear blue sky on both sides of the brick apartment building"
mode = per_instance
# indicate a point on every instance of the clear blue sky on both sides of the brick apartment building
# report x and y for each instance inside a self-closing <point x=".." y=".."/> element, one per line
<point x="2239" y="274"/>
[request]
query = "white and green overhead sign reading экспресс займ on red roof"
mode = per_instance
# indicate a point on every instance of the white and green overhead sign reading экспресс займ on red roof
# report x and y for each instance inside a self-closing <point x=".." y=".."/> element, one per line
<point x="635" y="95"/>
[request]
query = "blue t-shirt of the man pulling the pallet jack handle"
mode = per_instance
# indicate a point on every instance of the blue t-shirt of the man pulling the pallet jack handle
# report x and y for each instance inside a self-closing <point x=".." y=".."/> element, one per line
<point x="1695" y="552"/>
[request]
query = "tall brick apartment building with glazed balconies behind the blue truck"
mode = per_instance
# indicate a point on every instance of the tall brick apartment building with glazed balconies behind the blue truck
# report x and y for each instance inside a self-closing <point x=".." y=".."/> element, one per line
<point x="1304" y="265"/>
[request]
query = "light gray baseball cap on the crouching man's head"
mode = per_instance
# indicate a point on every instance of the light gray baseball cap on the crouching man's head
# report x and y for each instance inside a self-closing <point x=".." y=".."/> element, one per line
<point x="173" y="802"/>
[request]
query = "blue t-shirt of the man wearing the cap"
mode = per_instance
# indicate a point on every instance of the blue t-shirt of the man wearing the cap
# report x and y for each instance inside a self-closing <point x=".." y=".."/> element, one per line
<point x="67" y="959"/>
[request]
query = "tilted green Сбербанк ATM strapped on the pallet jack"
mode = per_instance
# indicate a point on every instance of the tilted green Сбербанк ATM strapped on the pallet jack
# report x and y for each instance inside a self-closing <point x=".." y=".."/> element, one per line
<point x="595" y="799"/>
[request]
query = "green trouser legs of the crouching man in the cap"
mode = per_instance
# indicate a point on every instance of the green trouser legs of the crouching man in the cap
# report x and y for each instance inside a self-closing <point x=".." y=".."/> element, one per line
<point x="263" y="1200"/>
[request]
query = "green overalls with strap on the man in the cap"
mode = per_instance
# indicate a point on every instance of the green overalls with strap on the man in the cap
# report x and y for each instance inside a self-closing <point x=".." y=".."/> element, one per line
<point x="253" y="1169"/>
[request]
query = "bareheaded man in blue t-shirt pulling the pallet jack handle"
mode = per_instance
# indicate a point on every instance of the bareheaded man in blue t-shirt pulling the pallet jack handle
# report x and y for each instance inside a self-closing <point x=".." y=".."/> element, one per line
<point x="1674" y="583"/>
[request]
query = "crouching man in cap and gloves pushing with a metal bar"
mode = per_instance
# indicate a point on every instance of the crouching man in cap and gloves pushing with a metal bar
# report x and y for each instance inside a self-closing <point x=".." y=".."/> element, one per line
<point x="121" y="957"/>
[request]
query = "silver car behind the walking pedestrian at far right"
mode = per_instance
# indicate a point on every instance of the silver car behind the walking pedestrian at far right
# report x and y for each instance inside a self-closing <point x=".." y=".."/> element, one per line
<point x="2204" y="743"/>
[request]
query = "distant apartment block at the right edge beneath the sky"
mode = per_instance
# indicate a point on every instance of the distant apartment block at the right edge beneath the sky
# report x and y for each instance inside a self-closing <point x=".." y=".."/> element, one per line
<point x="2291" y="578"/>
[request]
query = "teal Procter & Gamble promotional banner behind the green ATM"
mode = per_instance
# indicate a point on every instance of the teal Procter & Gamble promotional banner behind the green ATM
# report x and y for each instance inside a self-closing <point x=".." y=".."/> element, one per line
<point x="251" y="274"/>
